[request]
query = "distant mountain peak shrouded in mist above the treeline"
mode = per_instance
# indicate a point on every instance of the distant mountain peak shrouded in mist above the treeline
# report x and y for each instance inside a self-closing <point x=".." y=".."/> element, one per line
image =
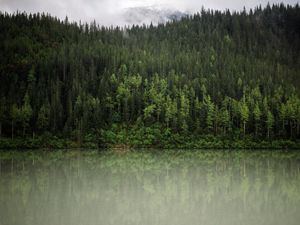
<point x="146" y="15"/>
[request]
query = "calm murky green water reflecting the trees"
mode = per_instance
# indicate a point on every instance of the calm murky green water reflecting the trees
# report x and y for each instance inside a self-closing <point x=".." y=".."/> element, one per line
<point x="149" y="187"/>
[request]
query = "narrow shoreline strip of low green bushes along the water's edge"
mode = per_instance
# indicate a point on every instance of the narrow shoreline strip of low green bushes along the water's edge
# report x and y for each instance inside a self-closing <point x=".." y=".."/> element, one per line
<point x="201" y="143"/>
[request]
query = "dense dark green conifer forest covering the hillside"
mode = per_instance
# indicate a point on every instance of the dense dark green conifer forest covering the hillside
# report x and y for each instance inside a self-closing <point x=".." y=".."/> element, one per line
<point x="219" y="73"/>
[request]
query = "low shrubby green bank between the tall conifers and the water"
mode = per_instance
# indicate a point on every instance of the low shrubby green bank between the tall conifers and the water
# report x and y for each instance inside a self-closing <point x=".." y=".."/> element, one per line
<point x="172" y="141"/>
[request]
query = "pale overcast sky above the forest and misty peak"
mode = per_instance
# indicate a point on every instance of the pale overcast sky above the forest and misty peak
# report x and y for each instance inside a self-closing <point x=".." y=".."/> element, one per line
<point x="108" y="12"/>
